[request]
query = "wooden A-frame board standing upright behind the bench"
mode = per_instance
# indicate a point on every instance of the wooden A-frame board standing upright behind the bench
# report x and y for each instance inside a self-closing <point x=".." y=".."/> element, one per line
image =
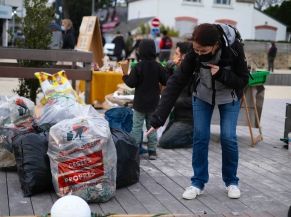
<point x="90" y="38"/>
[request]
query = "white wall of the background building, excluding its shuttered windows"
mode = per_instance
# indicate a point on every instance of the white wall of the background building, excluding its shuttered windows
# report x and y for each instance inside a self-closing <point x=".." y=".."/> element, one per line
<point x="243" y="13"/>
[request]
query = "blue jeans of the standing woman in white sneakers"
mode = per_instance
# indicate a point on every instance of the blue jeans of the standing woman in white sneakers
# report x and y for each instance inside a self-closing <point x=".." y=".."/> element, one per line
<point x="202" y="113"/>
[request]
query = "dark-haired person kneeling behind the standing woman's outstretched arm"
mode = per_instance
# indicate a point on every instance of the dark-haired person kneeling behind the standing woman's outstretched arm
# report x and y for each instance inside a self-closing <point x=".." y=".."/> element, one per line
<point x="179" y="131"/>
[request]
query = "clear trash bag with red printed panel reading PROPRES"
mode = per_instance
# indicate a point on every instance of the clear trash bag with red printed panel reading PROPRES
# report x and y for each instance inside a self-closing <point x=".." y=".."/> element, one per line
<point x="83" y="158"/>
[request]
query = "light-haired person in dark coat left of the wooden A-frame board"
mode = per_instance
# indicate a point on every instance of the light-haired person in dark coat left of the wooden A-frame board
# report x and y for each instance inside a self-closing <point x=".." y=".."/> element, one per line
<point x="69" y="40"/>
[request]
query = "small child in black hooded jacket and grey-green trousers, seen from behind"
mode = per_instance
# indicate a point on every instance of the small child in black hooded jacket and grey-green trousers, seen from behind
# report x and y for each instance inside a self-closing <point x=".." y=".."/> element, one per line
<point x="146" y="77"/>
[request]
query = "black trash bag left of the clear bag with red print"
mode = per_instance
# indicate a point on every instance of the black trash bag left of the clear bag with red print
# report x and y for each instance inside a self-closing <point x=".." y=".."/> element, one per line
<point x="32" y="162"/>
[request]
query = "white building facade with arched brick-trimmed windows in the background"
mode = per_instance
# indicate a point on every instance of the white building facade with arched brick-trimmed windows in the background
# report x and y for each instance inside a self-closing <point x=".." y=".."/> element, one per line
<point x="184" y="15"/>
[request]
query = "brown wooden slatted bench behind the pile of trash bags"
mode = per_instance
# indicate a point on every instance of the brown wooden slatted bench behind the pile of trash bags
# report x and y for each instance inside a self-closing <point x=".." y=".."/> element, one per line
<point x="10" y="68"/>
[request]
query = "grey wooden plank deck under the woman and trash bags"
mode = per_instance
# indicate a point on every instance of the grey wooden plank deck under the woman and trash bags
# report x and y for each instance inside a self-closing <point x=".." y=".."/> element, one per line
<point x="264" y="171"/>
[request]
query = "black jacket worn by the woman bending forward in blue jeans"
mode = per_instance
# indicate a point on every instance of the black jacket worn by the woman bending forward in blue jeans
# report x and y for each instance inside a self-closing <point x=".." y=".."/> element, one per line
<point x="235" y="78"/>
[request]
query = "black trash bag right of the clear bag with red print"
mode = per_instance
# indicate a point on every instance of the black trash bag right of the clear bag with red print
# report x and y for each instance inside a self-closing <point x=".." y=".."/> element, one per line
<point x="127" y="158"/>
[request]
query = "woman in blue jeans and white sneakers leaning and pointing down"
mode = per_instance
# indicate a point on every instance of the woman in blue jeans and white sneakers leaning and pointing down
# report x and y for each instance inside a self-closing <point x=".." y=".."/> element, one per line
<point x="221" y="74"/>
